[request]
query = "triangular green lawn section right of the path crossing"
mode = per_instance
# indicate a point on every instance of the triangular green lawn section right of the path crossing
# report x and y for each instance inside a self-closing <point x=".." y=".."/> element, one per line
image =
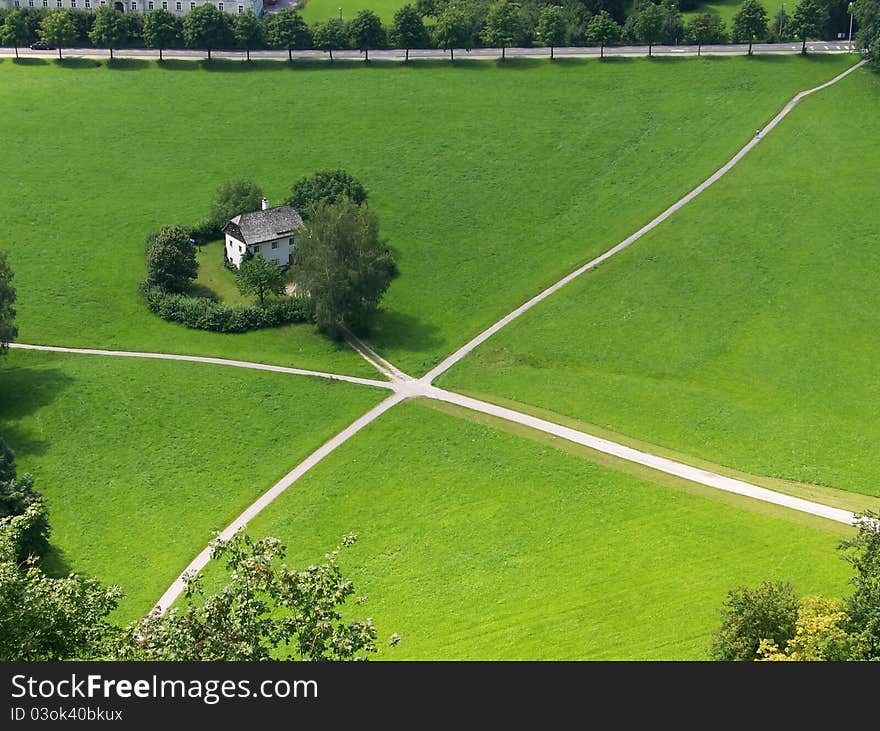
<point x="743" y="330"/>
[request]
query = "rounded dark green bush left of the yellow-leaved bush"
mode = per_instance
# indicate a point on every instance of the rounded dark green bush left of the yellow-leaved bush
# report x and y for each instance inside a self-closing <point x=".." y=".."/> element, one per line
<point x="768" y="612"/>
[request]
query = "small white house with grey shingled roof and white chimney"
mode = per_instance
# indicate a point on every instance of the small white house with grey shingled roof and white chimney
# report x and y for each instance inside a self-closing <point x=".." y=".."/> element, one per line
<point x="269" y="231"/>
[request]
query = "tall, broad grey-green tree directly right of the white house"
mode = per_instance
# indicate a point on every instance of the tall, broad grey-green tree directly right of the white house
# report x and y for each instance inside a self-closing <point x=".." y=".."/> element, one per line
<point x="343" y="266"/>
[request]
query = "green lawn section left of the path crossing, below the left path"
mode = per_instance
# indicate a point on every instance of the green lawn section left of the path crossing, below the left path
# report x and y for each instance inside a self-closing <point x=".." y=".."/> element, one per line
<point x="140" y="461"/>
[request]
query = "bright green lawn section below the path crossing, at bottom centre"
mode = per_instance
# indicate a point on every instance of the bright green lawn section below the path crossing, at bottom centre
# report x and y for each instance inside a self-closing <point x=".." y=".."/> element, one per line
<point x="478" y="544"/>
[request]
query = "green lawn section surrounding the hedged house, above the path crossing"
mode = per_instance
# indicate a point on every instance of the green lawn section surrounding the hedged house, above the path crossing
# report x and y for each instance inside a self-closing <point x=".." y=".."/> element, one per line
<point x="490" y="180"/>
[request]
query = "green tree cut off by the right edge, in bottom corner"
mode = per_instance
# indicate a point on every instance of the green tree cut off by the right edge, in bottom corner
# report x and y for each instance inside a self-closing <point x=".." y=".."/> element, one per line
<point x="863" y="605"/>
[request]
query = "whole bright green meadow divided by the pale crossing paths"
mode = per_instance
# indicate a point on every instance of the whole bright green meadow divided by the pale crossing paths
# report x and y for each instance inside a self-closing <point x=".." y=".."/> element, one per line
<point x="740" y="333"/>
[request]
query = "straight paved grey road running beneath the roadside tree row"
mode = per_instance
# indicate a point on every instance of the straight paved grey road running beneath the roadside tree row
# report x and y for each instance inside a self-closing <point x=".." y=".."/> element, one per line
<point x="435" y="54"/>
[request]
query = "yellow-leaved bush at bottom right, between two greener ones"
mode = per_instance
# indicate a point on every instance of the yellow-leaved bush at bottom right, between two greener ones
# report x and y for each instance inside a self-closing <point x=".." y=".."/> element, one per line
<point x="820" y="634"/>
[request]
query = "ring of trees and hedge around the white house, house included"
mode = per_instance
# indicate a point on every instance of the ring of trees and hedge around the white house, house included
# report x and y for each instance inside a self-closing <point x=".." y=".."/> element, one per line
<point x="325" y="230"/>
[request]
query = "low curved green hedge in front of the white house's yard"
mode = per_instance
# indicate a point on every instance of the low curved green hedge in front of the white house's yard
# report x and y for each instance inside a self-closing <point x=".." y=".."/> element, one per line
<point x="201" y="313"/>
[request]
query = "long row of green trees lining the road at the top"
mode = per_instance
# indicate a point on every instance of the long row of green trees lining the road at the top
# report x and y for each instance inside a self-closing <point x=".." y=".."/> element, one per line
<point x="446" y="24"/>
